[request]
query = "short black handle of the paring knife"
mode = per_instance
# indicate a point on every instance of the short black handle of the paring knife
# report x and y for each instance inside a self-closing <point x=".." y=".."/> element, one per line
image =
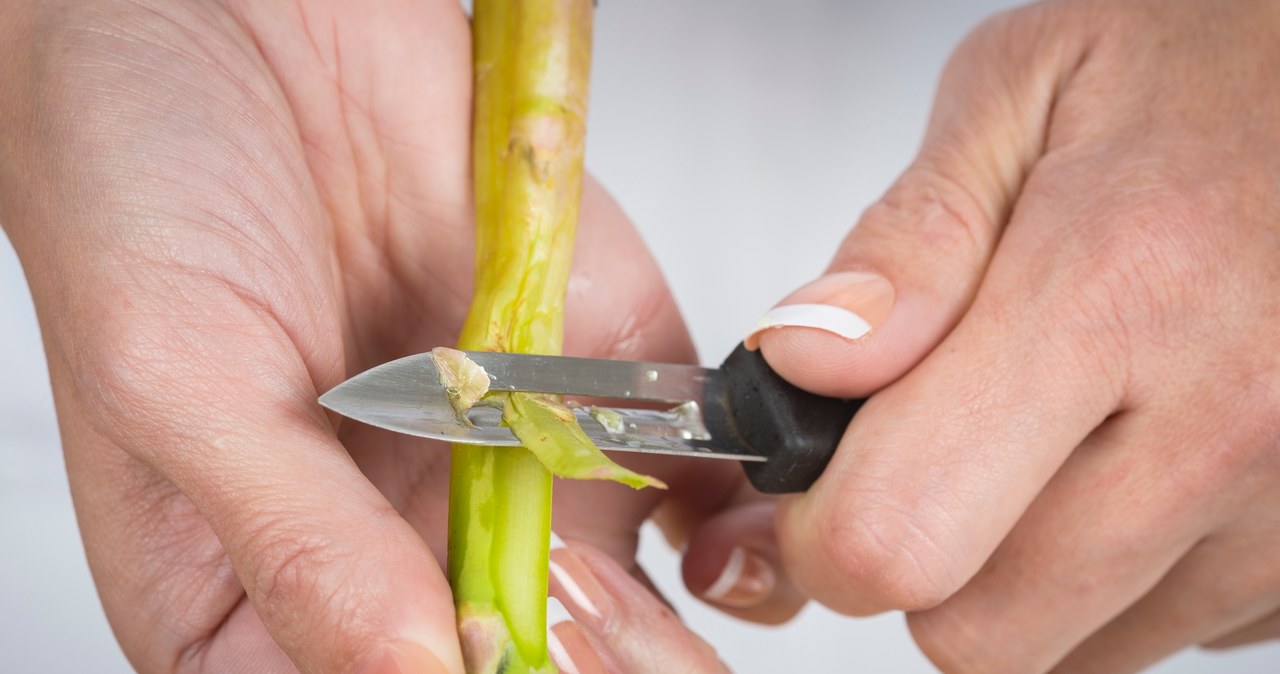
<point x="755" y="410"/>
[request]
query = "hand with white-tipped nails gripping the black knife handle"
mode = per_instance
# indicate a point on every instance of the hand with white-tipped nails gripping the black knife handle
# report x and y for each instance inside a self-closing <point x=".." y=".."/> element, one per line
<point x="1073" y="460"/>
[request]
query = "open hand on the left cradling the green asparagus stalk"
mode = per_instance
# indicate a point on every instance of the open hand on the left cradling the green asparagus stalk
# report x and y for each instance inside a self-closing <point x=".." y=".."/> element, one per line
<point x="223" y="212"/>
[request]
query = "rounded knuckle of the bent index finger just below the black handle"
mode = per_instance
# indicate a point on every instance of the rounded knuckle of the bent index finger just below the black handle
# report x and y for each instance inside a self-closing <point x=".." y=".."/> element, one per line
<point x="890" y="557"/>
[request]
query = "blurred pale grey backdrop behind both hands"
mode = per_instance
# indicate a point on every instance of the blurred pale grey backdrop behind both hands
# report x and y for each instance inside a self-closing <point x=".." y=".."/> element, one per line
<point x="744" y="139"/>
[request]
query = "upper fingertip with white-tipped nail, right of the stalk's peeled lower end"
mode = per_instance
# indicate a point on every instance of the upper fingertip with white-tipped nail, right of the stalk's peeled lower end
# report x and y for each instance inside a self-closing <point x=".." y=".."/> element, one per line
<point x="634" y="632"/>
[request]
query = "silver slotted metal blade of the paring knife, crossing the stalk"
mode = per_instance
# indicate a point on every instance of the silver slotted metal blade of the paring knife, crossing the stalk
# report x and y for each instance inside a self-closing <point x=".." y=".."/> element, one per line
<point x="406" y="397"/>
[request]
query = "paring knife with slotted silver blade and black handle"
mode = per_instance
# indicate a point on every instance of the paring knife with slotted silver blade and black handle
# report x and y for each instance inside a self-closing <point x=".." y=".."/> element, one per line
<point x="740" y="411"/>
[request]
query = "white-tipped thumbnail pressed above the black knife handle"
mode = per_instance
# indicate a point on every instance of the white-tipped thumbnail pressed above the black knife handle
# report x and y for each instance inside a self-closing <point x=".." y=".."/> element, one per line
<point x="847" y="304"/>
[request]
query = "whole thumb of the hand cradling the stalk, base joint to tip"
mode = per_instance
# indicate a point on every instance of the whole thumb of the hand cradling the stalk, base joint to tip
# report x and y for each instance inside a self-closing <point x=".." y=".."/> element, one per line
<point x="337" y="577"/>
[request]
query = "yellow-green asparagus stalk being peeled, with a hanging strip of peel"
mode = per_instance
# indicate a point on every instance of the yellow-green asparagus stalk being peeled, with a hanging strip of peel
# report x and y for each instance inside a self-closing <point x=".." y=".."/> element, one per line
<point x="532" y="66"/>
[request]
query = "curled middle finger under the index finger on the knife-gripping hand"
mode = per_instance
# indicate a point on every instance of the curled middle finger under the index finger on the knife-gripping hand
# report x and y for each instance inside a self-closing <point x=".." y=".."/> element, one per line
<point x="1100" y="537"/>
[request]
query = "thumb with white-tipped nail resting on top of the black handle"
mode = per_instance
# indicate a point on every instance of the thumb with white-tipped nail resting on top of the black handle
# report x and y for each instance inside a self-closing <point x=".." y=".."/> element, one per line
<point x="912" y="265"/>
